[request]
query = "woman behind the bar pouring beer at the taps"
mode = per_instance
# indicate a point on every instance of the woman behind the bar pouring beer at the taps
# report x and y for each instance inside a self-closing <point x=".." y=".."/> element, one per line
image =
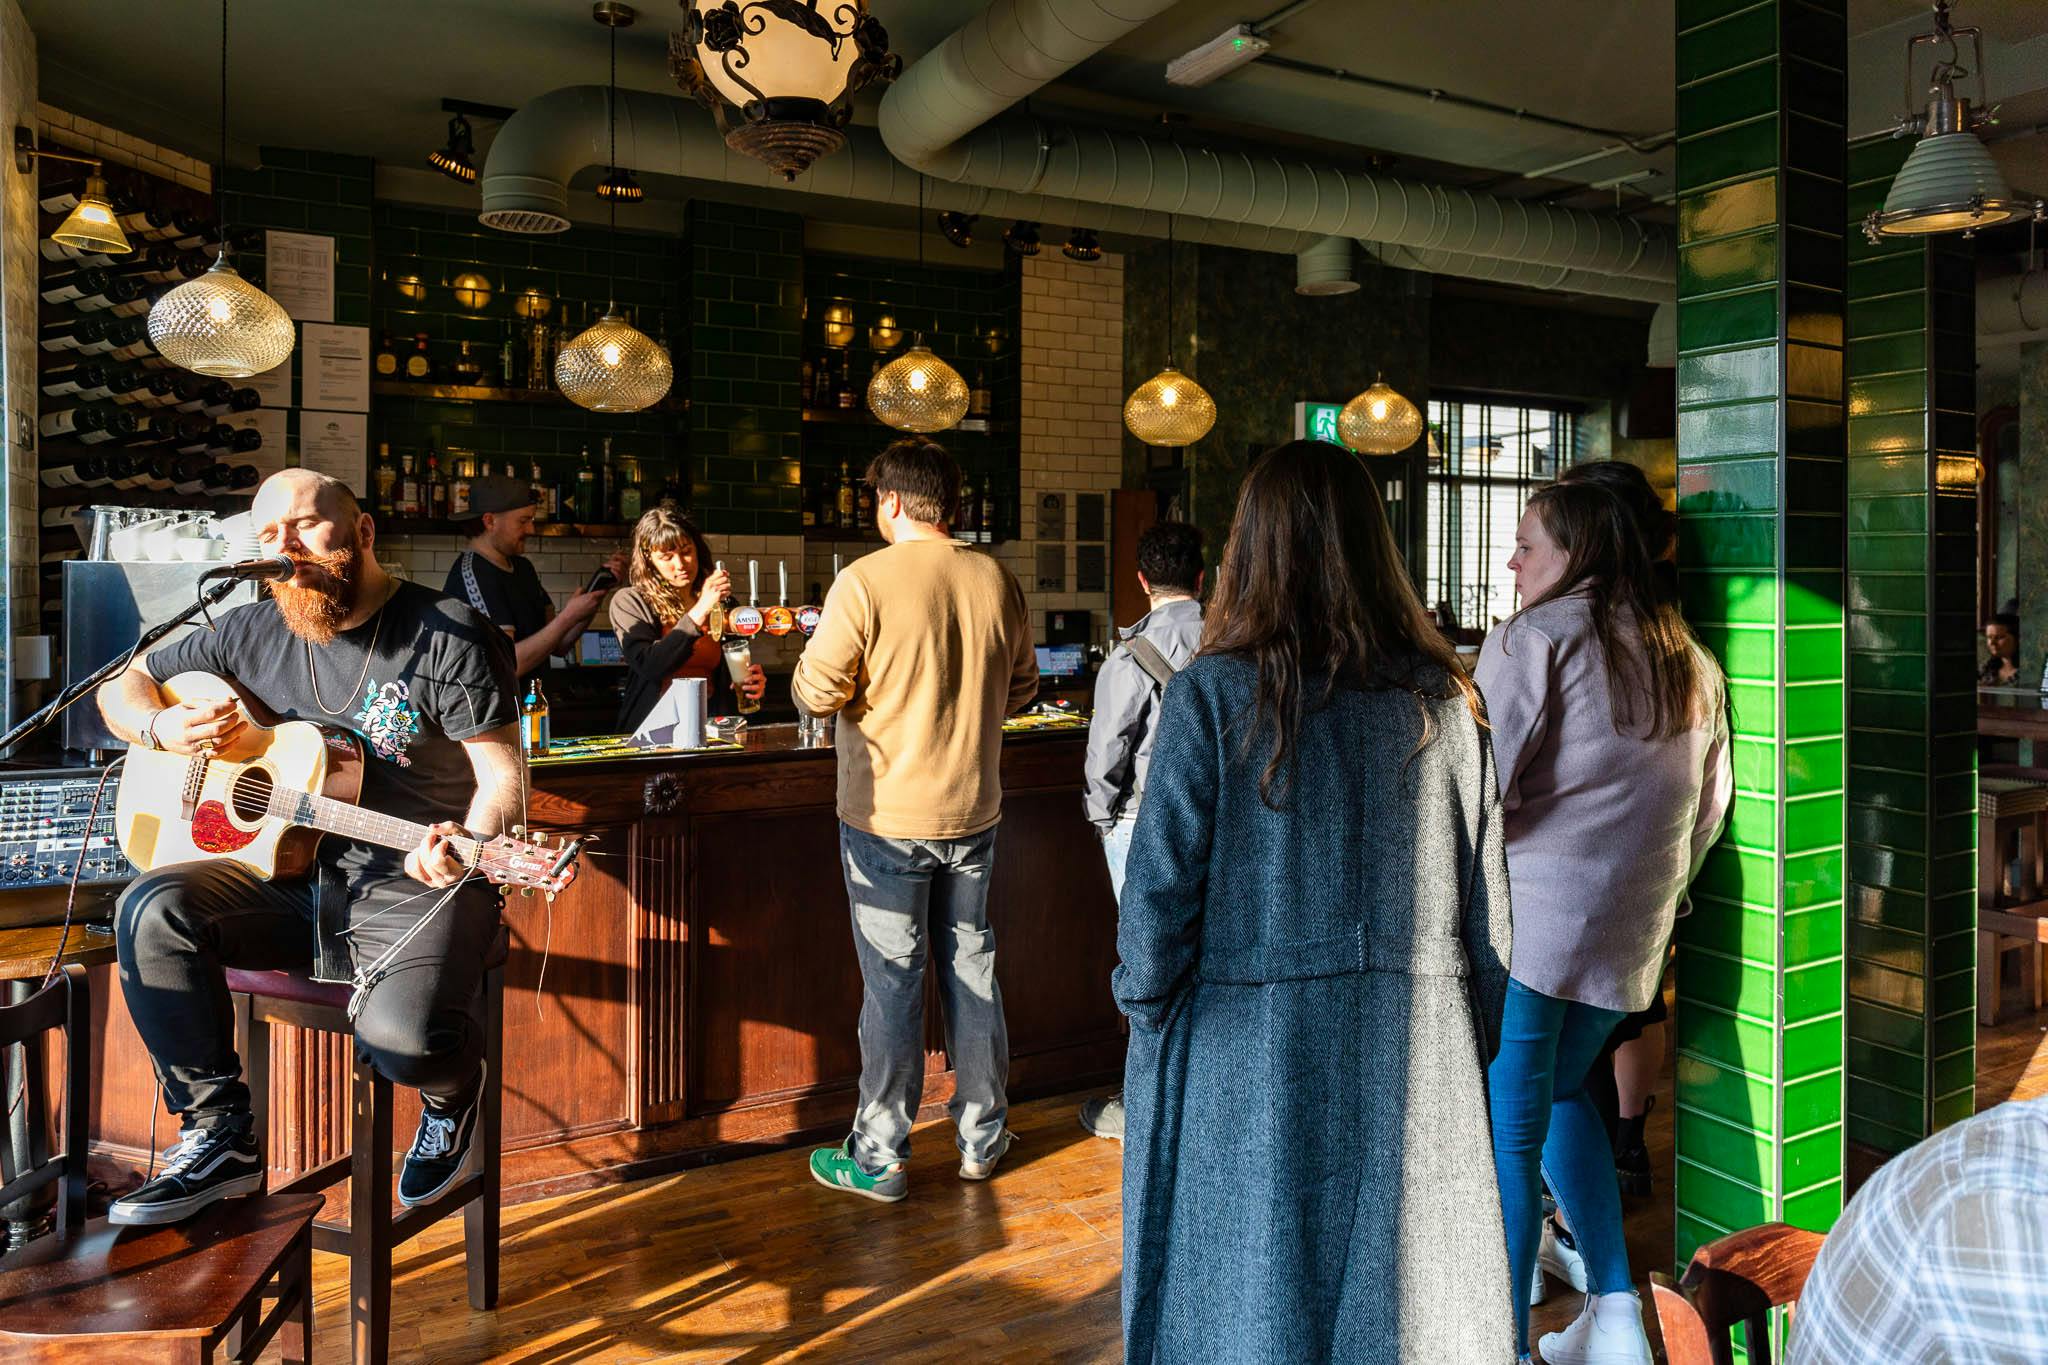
<point x="673" y="615"/>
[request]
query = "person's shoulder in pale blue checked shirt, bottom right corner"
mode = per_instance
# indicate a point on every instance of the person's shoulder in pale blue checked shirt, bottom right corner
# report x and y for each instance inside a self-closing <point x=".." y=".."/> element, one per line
<point x="1943" y="1258"/>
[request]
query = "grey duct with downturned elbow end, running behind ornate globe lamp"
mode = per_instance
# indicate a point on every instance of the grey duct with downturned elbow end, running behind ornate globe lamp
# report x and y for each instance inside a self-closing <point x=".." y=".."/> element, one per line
<point x="560" y="134"/>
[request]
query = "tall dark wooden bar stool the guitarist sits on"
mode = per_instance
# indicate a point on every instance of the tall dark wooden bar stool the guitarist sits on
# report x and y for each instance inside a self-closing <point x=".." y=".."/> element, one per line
<point x="374" y="1229"/>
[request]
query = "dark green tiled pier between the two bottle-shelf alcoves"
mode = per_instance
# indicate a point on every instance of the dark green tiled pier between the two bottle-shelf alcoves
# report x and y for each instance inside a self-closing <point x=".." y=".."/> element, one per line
<point x="746" y="316"/>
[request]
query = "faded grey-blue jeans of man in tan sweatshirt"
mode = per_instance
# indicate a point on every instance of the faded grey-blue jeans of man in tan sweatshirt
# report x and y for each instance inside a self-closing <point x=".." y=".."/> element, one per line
<point x="914" y="899"/>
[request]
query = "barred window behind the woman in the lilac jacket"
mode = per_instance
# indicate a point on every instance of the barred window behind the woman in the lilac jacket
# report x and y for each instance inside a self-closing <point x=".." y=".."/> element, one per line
<point x="1486" y="459"/>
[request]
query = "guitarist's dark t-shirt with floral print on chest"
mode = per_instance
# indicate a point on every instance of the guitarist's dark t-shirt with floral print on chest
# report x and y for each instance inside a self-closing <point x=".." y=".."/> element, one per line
<point x="411" y="682"/>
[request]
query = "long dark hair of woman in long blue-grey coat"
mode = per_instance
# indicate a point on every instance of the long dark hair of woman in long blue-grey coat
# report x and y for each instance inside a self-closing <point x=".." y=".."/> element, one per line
<point x="1316" y="597"/>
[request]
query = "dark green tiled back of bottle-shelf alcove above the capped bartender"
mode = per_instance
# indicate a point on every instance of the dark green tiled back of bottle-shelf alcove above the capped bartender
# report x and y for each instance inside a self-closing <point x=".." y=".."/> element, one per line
<point x="577" y="269"/>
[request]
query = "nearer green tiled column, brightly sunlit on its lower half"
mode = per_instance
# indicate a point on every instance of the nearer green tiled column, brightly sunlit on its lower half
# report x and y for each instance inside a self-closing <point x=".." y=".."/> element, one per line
<point x="1762" y="496"/>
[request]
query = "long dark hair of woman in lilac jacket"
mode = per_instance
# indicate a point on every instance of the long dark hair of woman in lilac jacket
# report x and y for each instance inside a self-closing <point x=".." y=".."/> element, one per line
<point x="1658" y="689"/>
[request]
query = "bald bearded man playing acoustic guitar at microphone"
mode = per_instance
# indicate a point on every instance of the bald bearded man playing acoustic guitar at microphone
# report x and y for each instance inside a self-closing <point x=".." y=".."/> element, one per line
<point x="425" y="682"/>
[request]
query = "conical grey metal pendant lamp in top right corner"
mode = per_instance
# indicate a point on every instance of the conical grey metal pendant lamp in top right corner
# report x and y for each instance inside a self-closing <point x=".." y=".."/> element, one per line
<point x="1949" y="181"/>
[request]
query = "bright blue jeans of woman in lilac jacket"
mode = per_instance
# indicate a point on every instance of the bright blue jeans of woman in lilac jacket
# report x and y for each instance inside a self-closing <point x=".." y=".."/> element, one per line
<point x="1545" y="1129"/>
